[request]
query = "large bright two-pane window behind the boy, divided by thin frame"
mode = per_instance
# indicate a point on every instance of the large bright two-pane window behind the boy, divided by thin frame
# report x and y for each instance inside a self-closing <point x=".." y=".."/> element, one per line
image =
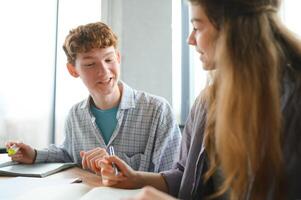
<point x="31" y="39"/>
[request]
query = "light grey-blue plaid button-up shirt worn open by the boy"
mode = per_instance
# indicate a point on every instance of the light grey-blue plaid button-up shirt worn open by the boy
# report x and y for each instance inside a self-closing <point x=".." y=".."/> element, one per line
<point x="146" y="136"/>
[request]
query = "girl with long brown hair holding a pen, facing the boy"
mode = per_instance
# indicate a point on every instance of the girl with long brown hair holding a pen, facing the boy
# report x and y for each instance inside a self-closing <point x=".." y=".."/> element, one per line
<point x="242" y="138"/>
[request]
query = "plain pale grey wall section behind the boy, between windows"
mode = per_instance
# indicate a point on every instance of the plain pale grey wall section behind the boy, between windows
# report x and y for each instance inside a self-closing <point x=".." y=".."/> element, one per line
<point x="144" y="29"/>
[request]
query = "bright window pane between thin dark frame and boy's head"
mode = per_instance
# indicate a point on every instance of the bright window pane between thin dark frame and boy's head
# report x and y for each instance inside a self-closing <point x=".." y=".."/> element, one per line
<point x="68" y="89"/>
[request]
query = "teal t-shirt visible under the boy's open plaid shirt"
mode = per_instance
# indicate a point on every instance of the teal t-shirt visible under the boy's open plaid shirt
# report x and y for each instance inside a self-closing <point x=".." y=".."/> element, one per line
<point x="106" y="121"/>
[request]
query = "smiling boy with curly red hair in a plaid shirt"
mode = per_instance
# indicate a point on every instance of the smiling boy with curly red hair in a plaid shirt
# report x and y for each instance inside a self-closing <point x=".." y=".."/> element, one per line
<point x="140" y="126"/>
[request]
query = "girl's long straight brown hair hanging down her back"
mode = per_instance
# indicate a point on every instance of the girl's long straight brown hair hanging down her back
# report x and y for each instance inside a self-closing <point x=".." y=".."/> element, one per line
<point x="243" y="135"/>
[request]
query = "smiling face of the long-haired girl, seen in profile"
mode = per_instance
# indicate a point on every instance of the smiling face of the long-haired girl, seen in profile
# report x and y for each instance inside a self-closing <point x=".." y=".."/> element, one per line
<point x="203" y="36"/>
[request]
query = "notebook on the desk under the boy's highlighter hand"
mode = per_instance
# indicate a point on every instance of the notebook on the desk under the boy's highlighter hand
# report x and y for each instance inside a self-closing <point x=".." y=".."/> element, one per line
<point x="32" y="170"/>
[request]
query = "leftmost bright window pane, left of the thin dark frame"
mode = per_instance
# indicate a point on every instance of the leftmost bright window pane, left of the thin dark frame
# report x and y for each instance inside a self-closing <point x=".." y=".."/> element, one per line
<point x="27" y="51"/>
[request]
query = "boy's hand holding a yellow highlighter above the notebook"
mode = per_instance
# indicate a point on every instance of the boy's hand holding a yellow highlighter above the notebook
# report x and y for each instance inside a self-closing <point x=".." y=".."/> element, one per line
<point x="25" y="153"/>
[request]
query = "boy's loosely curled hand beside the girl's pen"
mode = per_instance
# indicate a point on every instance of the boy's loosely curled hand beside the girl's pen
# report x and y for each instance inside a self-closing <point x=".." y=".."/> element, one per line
<point x="89" y="158"/>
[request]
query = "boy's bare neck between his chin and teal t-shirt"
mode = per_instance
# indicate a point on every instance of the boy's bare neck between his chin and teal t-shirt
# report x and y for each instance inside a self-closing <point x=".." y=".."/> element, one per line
<point x="108" y="101"/>
